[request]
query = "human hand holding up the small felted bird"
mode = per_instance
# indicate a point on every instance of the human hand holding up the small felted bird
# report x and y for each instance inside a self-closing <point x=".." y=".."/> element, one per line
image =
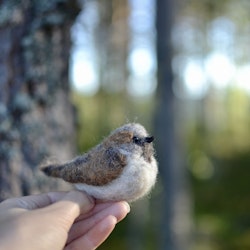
<point x="57" y="220"/>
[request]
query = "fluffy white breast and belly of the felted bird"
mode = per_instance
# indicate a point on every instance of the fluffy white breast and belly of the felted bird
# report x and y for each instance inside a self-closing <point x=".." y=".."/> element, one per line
<point x="136" y="180"/>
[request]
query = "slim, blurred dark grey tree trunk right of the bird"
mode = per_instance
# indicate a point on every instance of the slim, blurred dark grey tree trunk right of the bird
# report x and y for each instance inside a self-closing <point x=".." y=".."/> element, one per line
<point x="174" y="203"/>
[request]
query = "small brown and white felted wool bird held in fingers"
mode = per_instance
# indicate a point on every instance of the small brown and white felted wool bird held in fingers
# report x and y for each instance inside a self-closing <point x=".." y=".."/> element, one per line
<point x="121" y="167"/>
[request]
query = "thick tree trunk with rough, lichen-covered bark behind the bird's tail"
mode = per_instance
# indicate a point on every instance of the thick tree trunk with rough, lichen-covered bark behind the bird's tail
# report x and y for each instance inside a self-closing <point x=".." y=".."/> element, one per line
<point x="36" y="116"/>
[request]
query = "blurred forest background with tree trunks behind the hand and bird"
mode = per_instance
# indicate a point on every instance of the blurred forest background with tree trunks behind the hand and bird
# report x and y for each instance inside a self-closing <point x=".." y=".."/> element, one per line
<point x="72" y="71"/>
